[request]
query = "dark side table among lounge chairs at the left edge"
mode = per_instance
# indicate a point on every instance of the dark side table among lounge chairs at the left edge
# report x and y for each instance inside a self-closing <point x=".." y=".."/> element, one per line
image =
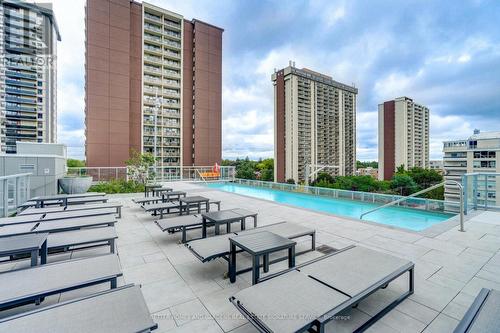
<point x="30" y="243"/>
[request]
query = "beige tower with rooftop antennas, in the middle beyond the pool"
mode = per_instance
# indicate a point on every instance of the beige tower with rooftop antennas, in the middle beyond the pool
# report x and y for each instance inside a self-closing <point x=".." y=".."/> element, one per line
<point x="315" y="124"/>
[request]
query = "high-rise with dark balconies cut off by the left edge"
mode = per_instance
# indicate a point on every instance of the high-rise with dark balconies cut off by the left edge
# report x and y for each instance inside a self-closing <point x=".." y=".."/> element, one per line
<point x="28" y="73"/>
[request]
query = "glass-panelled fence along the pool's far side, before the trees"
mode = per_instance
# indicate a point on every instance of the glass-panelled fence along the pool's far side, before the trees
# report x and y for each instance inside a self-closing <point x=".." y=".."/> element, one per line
<point x="376" y="198"/>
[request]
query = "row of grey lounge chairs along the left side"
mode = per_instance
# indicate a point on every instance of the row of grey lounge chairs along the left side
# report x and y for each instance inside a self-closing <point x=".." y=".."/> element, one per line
<point x="65" y="226"/>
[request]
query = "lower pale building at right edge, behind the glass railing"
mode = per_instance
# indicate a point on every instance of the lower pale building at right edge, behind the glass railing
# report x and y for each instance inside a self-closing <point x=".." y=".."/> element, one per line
<point x="479" y="153"/>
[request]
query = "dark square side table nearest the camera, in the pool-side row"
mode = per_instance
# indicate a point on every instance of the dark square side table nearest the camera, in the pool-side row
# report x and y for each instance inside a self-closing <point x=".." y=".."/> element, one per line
<point x="259" y="244"/>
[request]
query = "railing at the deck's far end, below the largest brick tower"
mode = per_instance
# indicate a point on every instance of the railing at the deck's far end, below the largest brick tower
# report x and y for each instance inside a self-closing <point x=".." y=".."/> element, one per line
<point x="163" y="174"/>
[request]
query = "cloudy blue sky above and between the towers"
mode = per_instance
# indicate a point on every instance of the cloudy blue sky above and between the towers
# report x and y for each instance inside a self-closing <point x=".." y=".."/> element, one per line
<point x="442" y="54"/>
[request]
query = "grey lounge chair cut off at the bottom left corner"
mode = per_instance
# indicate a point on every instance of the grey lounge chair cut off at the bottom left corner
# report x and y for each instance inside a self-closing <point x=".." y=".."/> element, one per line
<point x="120" y="310"/>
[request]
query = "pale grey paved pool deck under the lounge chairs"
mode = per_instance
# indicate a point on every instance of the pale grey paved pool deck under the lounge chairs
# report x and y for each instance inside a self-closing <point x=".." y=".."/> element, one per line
<point x="185" y="295"/>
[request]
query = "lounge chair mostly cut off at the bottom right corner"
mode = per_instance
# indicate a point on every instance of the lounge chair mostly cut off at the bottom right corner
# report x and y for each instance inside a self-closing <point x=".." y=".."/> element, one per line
<point x="483" y="315"/>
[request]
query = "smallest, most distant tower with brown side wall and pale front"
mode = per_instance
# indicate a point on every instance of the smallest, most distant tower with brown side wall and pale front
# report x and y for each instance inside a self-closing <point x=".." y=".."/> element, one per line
<point x="403" y="136"/>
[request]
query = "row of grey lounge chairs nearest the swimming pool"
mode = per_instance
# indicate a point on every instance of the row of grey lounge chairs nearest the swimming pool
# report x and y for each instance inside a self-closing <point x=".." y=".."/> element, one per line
<point x="307" y="297"/>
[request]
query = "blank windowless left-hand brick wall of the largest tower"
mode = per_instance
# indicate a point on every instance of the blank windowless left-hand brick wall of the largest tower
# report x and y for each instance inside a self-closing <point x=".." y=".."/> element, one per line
<point x="107" y="92"/>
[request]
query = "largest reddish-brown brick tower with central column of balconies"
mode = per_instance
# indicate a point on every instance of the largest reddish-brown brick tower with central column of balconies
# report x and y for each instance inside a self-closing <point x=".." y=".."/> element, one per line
<point x="153" y="84"/>
